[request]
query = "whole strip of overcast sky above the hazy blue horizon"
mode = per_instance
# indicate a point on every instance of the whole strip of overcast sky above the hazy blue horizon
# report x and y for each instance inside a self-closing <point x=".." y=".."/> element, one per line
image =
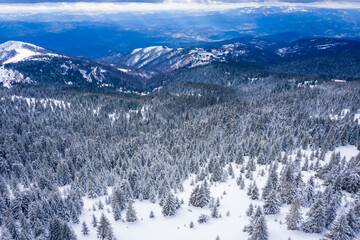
<point x="113" y="6"/>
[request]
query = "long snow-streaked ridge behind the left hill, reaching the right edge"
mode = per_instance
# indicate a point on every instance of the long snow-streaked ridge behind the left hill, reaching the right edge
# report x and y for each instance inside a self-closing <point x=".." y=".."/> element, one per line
<point x="166" y="59"/>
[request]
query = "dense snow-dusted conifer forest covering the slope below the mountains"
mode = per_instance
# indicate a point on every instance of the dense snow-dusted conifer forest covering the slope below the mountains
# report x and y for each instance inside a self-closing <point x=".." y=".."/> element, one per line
<point x="145" y="147"/>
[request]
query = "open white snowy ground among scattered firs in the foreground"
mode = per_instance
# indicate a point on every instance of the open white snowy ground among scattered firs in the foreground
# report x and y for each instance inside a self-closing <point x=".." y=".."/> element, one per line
<point x="235" y="201"/>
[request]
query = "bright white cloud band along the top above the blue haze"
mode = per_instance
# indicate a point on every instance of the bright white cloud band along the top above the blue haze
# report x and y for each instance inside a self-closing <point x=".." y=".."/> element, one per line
<point x="187" y="5"/>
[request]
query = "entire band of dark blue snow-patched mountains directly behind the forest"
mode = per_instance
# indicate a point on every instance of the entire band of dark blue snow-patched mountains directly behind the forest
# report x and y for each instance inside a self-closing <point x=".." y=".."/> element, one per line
<point x="140" y="70"/>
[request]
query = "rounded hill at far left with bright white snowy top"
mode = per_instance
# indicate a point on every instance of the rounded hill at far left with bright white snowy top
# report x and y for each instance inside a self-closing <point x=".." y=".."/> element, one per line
<point x="27" y="63"/>
